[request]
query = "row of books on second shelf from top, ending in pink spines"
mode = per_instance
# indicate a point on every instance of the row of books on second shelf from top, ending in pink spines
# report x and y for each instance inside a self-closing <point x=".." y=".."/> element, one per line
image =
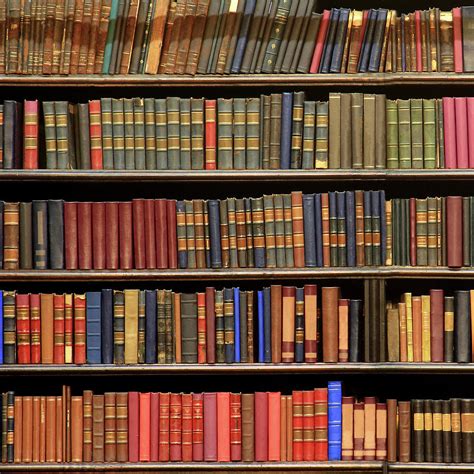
<point x="277" y="131"/>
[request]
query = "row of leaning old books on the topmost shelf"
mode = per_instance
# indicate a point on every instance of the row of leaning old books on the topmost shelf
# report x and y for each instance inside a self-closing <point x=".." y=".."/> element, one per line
<point x="242" y="36"/>
